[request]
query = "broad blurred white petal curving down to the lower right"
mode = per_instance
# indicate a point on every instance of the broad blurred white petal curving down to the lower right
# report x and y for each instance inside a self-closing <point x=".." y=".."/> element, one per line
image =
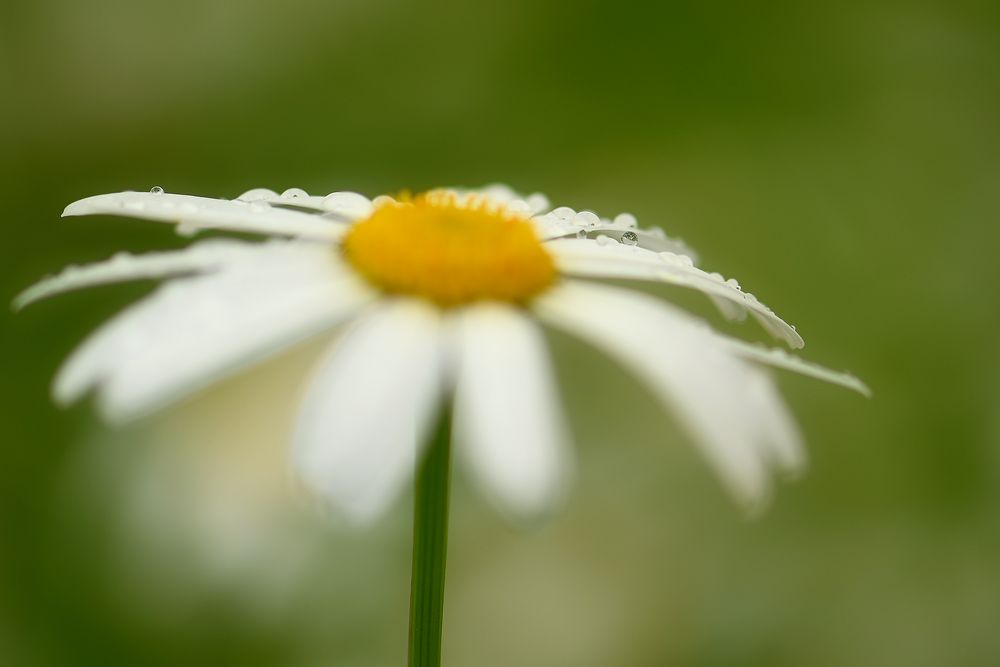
<point x="684" y="365"/>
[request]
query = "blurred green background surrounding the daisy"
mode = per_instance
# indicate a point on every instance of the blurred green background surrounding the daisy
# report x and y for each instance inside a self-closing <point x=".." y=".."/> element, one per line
<point x="841" y="159"/>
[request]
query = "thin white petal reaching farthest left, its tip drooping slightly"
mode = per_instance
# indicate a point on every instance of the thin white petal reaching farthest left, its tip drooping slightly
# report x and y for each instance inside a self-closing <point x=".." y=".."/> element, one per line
<point x="201" y="257"/>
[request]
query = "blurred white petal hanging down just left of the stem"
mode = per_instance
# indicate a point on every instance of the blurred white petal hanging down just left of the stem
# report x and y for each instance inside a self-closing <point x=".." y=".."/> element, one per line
<point x="369" y="408"/>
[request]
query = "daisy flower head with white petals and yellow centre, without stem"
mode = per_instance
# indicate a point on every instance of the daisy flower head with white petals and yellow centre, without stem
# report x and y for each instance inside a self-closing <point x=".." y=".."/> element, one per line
<point x="437" y="296"/>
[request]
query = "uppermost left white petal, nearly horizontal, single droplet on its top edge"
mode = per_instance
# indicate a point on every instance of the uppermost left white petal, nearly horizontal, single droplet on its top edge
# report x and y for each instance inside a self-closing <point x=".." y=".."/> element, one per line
<point x="196" y="213"/>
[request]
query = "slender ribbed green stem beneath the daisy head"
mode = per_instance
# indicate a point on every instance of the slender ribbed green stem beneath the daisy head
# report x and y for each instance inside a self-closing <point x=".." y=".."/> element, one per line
<point x="430" y="549"/>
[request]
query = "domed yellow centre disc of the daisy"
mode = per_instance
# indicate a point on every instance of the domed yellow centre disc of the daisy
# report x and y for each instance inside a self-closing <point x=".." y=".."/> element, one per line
<point x="450" y="249"/>
